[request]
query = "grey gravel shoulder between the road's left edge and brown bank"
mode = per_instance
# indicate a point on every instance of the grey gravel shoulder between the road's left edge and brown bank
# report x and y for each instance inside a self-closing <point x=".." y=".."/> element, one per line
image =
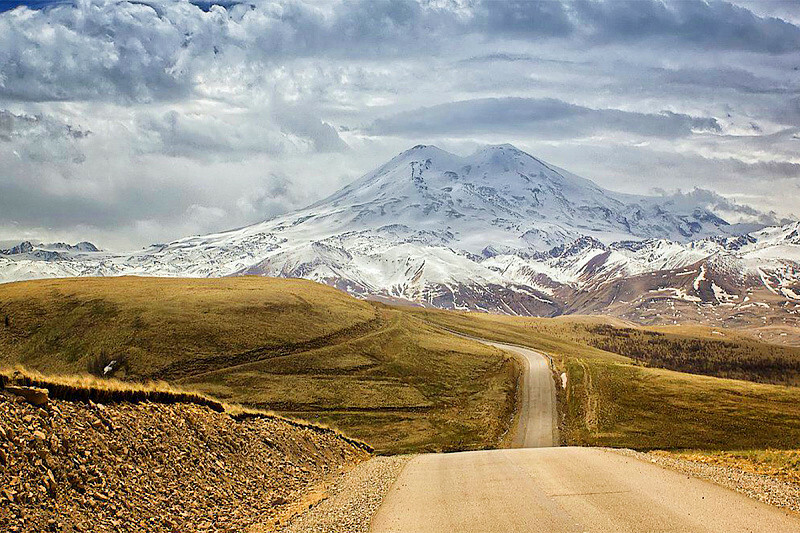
<point x="353" y="499"/>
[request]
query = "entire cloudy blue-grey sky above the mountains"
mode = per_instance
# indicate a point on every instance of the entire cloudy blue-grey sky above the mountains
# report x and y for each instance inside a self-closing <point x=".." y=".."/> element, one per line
<point x="128" y="123"/>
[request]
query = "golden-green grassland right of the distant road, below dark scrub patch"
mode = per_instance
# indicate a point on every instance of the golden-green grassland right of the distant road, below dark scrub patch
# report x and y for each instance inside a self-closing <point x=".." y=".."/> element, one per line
<point x="612" y="400"/>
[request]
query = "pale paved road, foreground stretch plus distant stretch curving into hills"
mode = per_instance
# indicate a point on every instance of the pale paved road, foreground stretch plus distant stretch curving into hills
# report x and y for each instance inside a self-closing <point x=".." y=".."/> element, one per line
<point x="561" y="490"/>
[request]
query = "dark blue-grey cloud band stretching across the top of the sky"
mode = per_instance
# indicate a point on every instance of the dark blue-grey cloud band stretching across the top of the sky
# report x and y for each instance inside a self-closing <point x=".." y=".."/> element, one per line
<point x="146" y="52"/>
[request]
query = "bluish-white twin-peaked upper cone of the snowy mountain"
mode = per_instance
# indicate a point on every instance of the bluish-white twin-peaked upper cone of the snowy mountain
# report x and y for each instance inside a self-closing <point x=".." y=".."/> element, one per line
<point x="503" y="196"/>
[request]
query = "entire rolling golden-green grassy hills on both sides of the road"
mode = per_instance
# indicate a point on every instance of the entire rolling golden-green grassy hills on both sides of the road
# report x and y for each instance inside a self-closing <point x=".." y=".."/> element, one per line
<point x="397" y="377"/>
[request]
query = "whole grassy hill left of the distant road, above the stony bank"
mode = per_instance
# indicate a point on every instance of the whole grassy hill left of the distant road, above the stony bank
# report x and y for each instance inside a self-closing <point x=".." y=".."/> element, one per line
<point x="290" y="346"/>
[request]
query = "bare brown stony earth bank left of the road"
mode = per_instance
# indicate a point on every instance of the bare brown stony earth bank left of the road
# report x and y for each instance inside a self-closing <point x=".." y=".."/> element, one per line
<point x="84" y="466"/>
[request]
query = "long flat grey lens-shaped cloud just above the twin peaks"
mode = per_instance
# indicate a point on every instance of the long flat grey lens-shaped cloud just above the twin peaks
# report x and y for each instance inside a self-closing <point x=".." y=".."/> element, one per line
<point x="544" y="118"/>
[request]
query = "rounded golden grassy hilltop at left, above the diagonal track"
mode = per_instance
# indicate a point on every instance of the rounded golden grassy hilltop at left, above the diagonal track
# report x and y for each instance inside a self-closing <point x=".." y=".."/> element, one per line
<point x="61" y="325"/>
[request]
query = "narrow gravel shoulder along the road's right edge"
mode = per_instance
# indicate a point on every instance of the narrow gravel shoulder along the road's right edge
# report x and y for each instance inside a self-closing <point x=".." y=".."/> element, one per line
<point x="758" y="486"/>
